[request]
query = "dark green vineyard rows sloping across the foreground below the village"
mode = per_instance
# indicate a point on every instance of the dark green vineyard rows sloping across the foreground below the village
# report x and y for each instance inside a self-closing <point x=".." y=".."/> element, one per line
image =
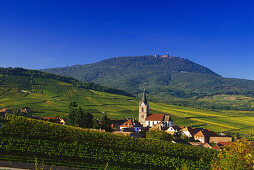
<point x="27" y="139"/>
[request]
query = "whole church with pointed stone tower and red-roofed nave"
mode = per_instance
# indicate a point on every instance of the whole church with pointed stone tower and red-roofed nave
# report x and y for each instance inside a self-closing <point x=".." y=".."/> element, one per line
<point x="150" y="120"/>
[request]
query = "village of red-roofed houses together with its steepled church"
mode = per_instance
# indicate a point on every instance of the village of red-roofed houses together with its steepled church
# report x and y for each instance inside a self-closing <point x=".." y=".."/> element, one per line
<point x="153" y="122"/>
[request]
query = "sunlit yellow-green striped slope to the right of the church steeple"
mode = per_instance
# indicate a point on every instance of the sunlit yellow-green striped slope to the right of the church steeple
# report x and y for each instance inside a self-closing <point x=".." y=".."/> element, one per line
<point x="235" y="121"/>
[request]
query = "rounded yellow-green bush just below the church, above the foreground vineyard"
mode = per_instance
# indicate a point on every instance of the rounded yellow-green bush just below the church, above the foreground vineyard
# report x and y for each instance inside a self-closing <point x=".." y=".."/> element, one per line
<point x="158" y="135"/>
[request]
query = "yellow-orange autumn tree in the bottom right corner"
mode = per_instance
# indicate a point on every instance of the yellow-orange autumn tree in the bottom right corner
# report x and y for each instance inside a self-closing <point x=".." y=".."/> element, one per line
<point x="239" y="155"/>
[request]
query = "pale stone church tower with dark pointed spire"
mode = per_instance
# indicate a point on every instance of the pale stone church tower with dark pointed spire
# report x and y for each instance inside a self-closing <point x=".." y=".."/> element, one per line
<point x="143" y="109"/>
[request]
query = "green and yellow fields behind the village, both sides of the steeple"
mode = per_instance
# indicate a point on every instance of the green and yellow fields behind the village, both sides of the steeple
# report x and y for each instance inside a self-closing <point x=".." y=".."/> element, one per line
<point x="47" y="97"/>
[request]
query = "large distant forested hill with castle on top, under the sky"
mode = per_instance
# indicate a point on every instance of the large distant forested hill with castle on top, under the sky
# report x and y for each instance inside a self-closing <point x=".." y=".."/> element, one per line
<point x="163" y="77"/>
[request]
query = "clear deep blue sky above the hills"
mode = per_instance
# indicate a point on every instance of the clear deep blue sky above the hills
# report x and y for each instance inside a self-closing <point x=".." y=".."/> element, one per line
<point x="39" y="34"/>
